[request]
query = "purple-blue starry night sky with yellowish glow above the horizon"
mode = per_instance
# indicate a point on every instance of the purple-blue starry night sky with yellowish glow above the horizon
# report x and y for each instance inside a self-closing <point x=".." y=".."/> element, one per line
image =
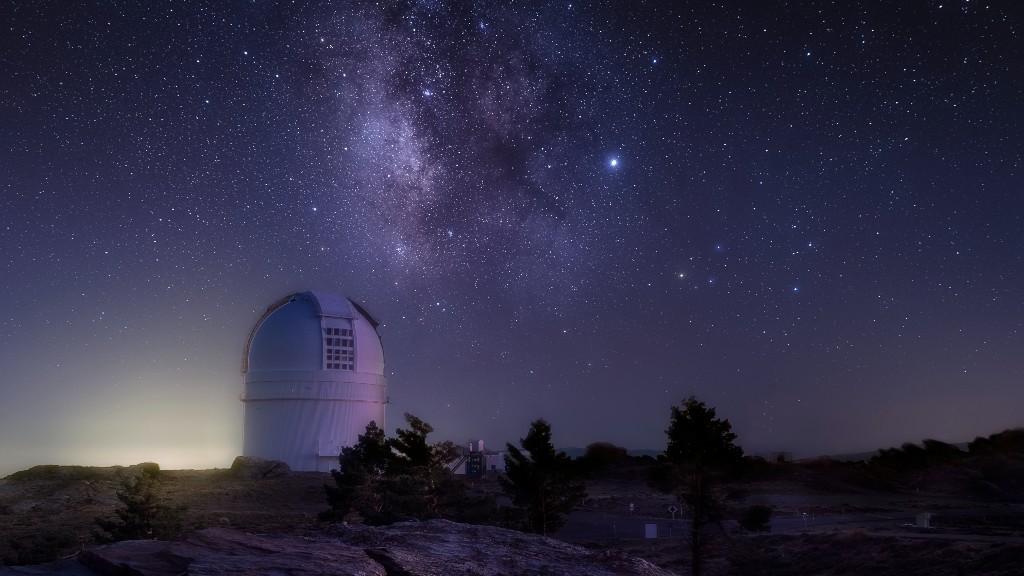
<point x="808" y="215"/>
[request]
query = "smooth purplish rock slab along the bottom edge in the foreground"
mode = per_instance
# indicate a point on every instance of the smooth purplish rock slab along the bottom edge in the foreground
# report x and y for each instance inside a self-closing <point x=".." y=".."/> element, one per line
<point x="436" y="548"/>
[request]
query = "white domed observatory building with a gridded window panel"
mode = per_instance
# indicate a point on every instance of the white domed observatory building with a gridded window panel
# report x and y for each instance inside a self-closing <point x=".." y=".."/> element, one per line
<point x="314" y="372"/>
